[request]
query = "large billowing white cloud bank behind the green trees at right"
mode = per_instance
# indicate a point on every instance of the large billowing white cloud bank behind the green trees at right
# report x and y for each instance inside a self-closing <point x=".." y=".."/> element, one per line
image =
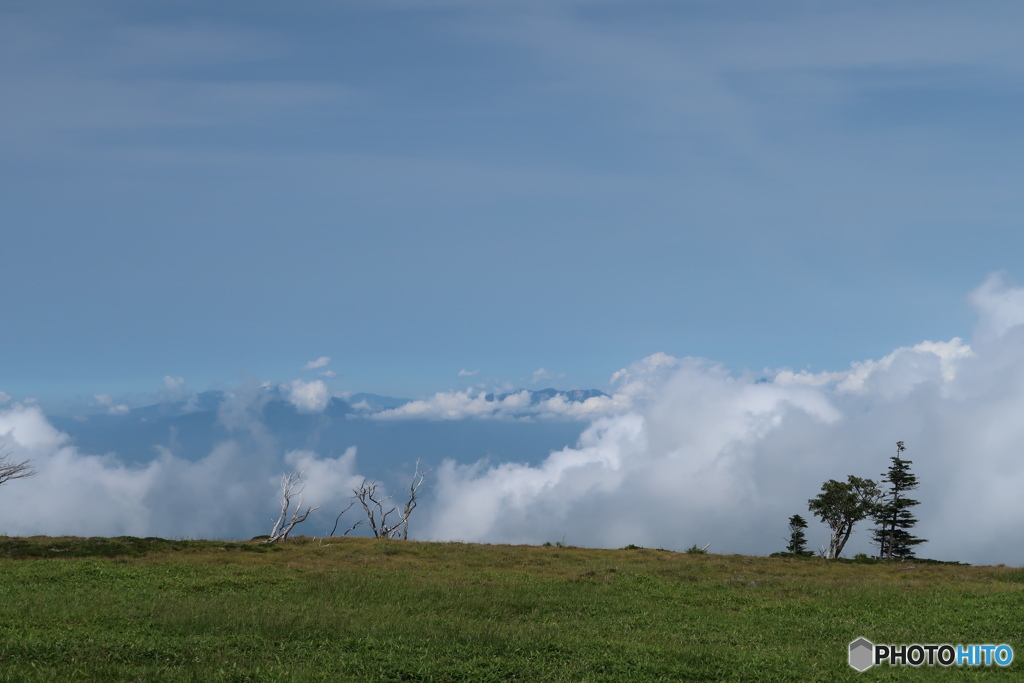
<point x="704" y="456"/>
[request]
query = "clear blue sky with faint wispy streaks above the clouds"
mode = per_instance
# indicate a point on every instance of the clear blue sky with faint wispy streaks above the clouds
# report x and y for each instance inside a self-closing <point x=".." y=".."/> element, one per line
<point x="214" y="190"/>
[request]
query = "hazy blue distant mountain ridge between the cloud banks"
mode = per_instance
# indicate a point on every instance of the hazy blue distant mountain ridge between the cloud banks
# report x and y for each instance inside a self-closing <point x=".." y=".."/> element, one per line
<point x="193" y="426"/>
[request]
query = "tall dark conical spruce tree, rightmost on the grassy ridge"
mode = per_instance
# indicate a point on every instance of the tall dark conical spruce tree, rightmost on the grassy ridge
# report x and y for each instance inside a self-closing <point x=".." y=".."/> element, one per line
<point x="893" y="513"/>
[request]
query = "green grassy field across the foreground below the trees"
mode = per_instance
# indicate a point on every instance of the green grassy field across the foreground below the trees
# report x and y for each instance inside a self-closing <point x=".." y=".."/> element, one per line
<point x="361" y="610"/>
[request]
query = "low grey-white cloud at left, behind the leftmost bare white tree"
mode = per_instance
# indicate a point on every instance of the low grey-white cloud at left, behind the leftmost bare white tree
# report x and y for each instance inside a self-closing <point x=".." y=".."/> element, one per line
<point x="231" y="493"/>
